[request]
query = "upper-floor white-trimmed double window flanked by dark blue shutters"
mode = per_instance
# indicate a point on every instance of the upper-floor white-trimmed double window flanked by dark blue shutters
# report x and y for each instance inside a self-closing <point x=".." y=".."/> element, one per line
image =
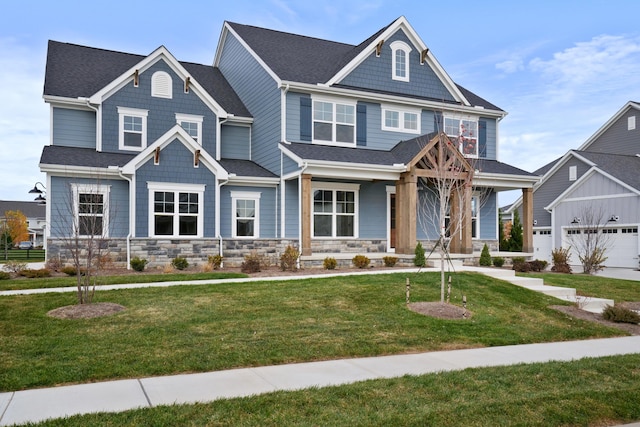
<point x="334" y="122"/>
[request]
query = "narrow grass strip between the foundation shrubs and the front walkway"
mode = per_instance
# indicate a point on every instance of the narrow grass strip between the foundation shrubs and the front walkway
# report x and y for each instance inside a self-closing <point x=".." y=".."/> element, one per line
<point x="61" y="282"/>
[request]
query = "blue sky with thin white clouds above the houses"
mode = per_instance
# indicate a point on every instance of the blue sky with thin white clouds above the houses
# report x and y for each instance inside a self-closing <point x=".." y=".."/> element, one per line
<point x="560" y="69"/>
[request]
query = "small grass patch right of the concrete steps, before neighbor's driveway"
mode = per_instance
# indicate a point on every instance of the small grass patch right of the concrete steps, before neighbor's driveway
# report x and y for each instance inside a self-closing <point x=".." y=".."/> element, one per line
<point x="594" y="286"/>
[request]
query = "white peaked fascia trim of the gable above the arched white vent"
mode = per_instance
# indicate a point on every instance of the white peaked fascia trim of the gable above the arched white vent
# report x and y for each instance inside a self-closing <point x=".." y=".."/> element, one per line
<point x="148" y="62"/>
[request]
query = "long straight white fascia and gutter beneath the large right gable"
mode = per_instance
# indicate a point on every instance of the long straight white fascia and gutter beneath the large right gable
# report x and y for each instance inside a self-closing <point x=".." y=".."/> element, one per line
<point x="380" y="98"/>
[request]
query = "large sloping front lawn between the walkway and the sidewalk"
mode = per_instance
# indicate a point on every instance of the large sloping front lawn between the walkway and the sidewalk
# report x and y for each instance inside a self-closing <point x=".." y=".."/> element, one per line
<point x="212" y="327"/>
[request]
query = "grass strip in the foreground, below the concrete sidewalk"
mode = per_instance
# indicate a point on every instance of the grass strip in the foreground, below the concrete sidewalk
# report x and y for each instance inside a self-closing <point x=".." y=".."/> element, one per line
<point x="603" y="391"/>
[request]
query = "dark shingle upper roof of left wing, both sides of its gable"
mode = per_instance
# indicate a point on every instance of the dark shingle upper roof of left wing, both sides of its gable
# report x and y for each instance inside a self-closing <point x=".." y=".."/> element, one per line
<point x="74" y="71"/>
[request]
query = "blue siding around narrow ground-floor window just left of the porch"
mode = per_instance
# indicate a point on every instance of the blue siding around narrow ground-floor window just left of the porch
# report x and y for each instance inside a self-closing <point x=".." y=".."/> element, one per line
<point x="268" y="209"/>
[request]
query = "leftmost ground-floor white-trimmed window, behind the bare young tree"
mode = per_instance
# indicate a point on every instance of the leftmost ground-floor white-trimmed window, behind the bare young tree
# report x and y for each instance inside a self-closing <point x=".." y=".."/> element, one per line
<point x="91" y="214"/>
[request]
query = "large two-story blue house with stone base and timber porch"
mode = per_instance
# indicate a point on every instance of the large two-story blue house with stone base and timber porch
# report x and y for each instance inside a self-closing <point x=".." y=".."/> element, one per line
<point x="285" y="139"/>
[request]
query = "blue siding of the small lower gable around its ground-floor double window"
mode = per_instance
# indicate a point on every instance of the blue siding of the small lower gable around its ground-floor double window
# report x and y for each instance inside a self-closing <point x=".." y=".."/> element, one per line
<point x="176" y="166"/>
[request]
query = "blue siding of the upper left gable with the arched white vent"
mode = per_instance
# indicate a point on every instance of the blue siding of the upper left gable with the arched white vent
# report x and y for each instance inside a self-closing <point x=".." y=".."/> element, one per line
<point x="162" y="111"/>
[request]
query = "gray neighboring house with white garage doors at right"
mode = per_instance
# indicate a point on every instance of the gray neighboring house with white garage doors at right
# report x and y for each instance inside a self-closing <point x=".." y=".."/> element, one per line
<point x="602" y="177"/>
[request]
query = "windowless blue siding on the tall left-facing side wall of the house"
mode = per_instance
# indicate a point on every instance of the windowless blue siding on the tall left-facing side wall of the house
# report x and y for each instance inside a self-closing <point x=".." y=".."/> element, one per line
<point x="261" y="95"/>
